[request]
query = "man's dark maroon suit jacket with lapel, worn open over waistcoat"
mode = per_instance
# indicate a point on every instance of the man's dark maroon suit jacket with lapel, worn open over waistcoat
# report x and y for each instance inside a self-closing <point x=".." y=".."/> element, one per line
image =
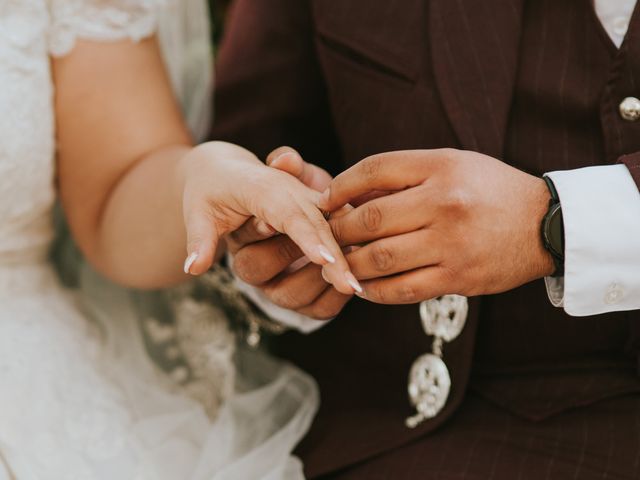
<point x="343" y="79"/>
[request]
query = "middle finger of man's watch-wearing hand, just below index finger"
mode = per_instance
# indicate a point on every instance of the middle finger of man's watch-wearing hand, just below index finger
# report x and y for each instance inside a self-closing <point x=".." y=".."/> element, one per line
<point x="386" y="216"/>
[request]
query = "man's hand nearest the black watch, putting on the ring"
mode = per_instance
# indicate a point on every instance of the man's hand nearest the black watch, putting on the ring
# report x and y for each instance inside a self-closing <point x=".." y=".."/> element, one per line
<point x="457" y="222"/>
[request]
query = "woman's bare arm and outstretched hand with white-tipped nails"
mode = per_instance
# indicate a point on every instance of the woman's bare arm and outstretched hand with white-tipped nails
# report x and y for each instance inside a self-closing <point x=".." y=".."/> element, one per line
<point x="130" y="179"/>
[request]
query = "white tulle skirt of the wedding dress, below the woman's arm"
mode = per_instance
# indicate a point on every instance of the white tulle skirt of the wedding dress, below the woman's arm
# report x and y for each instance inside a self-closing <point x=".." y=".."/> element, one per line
<point x="82" y="400"/>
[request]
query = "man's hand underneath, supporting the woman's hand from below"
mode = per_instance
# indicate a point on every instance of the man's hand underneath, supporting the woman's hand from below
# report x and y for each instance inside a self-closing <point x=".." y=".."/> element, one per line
<point x="266" y="262"/>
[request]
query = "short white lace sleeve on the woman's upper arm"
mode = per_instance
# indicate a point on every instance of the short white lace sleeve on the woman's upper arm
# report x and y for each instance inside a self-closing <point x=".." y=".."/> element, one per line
<point x="101" y="20"/>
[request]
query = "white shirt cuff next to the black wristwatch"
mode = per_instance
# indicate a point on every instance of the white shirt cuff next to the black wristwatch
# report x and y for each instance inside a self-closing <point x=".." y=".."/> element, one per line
<point x="601" y="212"/>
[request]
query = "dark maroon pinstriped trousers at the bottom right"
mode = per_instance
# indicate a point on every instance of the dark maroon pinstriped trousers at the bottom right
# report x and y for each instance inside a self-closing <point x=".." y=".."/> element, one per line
<point x="482" y="442"/>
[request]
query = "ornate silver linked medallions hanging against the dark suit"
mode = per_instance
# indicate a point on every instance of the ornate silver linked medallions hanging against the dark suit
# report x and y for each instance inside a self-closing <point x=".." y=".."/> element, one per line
<point x="429" y="380"/>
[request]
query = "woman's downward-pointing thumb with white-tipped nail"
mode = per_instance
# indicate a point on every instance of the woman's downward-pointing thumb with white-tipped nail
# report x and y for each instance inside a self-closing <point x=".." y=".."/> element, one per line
<point x="202" y="238"/>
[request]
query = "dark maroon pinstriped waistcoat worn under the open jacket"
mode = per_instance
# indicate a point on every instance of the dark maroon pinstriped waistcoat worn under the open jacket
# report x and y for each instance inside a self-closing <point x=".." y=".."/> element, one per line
<point x="532" y="358"/>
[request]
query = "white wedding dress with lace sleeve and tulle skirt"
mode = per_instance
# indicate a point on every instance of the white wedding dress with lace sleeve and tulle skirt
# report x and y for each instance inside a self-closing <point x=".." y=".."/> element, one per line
<point x="80" y="397"/>
